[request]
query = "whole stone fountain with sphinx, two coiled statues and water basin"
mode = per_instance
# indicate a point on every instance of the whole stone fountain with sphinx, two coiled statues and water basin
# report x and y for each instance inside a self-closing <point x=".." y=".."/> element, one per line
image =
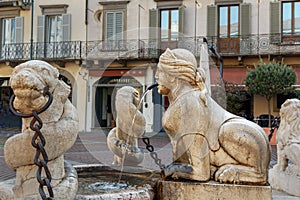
<point x="216" y="155"/>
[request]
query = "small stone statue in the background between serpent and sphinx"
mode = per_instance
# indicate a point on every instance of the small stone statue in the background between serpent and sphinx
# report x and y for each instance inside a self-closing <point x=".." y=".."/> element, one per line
<point x="130" y="125"/>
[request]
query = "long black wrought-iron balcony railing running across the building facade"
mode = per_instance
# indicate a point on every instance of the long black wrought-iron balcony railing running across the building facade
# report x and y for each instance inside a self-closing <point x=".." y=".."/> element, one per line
<point x="251" y="45"/>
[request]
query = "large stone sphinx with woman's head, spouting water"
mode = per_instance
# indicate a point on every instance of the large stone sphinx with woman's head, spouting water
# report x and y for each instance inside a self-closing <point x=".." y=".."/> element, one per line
<point x="207" y="141"/>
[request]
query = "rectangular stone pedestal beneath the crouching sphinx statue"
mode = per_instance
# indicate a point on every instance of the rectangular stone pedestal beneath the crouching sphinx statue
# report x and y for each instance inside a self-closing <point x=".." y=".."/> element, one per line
<point x="168" y="190"/>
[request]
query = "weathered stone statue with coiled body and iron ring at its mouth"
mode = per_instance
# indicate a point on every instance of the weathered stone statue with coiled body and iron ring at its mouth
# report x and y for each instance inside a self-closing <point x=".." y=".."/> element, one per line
<point x="60" y="129"/>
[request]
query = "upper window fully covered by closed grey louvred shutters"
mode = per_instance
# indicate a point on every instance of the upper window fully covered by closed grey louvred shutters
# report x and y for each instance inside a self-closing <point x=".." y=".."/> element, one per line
<point x="114" y="31"/>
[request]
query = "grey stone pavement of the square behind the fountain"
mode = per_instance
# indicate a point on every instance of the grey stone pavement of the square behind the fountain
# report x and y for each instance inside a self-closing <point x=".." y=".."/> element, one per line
<point x="91" y="148"/>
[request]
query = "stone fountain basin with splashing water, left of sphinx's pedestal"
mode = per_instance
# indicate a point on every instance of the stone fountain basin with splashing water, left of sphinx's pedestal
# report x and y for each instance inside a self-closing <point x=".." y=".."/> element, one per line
<point x="112" y="182"/>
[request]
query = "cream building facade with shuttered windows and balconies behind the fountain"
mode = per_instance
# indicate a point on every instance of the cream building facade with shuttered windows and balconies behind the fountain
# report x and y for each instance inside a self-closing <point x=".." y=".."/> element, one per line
<point x="99" y="46"/>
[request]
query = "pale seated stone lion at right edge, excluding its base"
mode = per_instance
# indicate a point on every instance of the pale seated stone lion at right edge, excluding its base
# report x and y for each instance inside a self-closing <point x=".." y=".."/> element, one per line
<point x="288" y="136"/>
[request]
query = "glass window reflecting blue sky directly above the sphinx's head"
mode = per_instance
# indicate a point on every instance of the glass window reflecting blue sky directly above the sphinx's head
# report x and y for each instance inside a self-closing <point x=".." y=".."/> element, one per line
<point x="169" y="24"/>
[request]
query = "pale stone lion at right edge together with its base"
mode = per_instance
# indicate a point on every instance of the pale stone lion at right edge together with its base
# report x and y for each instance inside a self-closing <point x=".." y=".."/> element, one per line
<point x="285" y="175"/>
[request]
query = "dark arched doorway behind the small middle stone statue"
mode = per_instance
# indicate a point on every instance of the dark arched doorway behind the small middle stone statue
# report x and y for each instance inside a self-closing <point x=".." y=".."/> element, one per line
<point x="105" y="91"/>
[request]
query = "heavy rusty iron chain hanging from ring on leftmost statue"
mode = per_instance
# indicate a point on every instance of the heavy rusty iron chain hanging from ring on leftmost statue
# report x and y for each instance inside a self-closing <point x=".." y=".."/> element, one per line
<point x="38" y="142"/>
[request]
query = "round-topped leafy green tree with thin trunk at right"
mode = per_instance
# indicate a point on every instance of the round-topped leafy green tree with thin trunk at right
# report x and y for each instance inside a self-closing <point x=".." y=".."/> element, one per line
<point x="270" y="79"/>
